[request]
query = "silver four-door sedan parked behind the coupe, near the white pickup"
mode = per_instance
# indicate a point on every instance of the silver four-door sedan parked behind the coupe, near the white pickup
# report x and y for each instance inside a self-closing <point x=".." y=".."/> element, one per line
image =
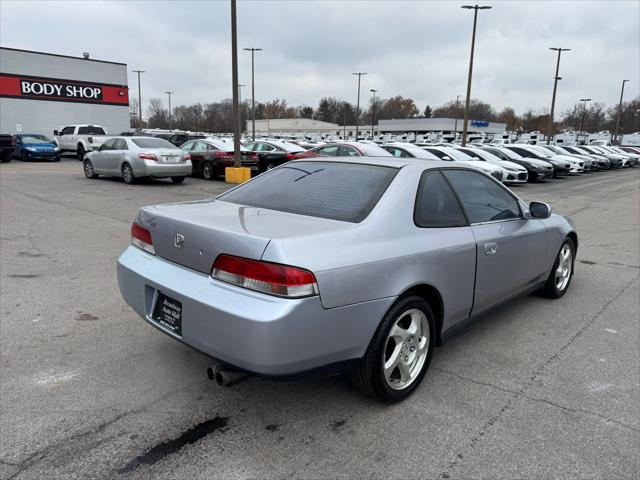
<point x="133" y="158"/>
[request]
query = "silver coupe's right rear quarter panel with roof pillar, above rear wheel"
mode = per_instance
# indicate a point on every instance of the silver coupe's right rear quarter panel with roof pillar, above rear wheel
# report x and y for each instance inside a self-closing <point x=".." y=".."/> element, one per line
<point x="387" y="254"/>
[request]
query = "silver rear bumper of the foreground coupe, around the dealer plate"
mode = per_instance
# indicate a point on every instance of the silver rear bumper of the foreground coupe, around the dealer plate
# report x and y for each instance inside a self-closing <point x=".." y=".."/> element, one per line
<point x="259" y="333"/>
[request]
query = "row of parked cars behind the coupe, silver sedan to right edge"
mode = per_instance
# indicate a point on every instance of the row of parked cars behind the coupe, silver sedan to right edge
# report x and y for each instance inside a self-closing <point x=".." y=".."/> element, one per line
<point x="136" y="157"/>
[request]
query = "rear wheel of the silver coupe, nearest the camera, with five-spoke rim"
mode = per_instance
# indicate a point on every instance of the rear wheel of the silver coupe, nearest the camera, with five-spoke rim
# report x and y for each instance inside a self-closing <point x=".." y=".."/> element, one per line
<point x="399" y="353"/>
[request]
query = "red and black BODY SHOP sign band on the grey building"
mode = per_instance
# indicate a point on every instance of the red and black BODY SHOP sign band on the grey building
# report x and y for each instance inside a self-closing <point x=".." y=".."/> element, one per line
<point x="58" y="90"/>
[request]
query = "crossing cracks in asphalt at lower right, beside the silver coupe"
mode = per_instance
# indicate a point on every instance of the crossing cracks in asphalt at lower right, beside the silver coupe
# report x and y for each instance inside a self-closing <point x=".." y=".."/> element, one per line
<point x="515" y="395"/>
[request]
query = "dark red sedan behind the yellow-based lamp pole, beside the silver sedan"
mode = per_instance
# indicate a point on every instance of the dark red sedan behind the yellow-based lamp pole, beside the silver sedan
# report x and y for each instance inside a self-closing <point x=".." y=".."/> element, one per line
<point x="210" y="156"/>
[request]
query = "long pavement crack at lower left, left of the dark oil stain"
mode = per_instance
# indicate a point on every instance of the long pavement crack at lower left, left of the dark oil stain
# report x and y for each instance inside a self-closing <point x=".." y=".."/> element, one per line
<point x="39" y="455"/>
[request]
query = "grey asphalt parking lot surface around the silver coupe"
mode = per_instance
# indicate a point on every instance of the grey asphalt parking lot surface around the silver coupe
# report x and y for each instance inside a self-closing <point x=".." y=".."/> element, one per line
<point x="542" y="389"/>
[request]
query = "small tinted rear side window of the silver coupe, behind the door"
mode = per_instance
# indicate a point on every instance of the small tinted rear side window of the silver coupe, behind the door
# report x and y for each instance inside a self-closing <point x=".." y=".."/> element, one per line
<point x="436" y="205"/>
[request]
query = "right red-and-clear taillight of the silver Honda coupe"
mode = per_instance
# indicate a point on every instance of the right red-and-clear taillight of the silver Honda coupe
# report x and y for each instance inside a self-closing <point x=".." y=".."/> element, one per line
<point x="265" y="277"/>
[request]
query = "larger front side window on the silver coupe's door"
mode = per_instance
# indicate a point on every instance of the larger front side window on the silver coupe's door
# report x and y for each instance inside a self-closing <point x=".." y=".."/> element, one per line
<point x="482" y="199"/>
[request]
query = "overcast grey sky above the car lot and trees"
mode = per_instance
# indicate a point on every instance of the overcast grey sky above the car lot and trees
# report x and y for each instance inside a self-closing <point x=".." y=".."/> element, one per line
<point x="418" y="49"/>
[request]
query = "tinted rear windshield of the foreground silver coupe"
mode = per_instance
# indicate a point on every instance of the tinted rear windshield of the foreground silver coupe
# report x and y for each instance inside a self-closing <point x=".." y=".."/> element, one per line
<point x="337" y="191"/>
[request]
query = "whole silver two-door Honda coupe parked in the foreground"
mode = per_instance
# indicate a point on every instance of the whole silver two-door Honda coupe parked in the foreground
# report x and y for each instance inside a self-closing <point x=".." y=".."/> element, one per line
<point x="342" y="265"/>
